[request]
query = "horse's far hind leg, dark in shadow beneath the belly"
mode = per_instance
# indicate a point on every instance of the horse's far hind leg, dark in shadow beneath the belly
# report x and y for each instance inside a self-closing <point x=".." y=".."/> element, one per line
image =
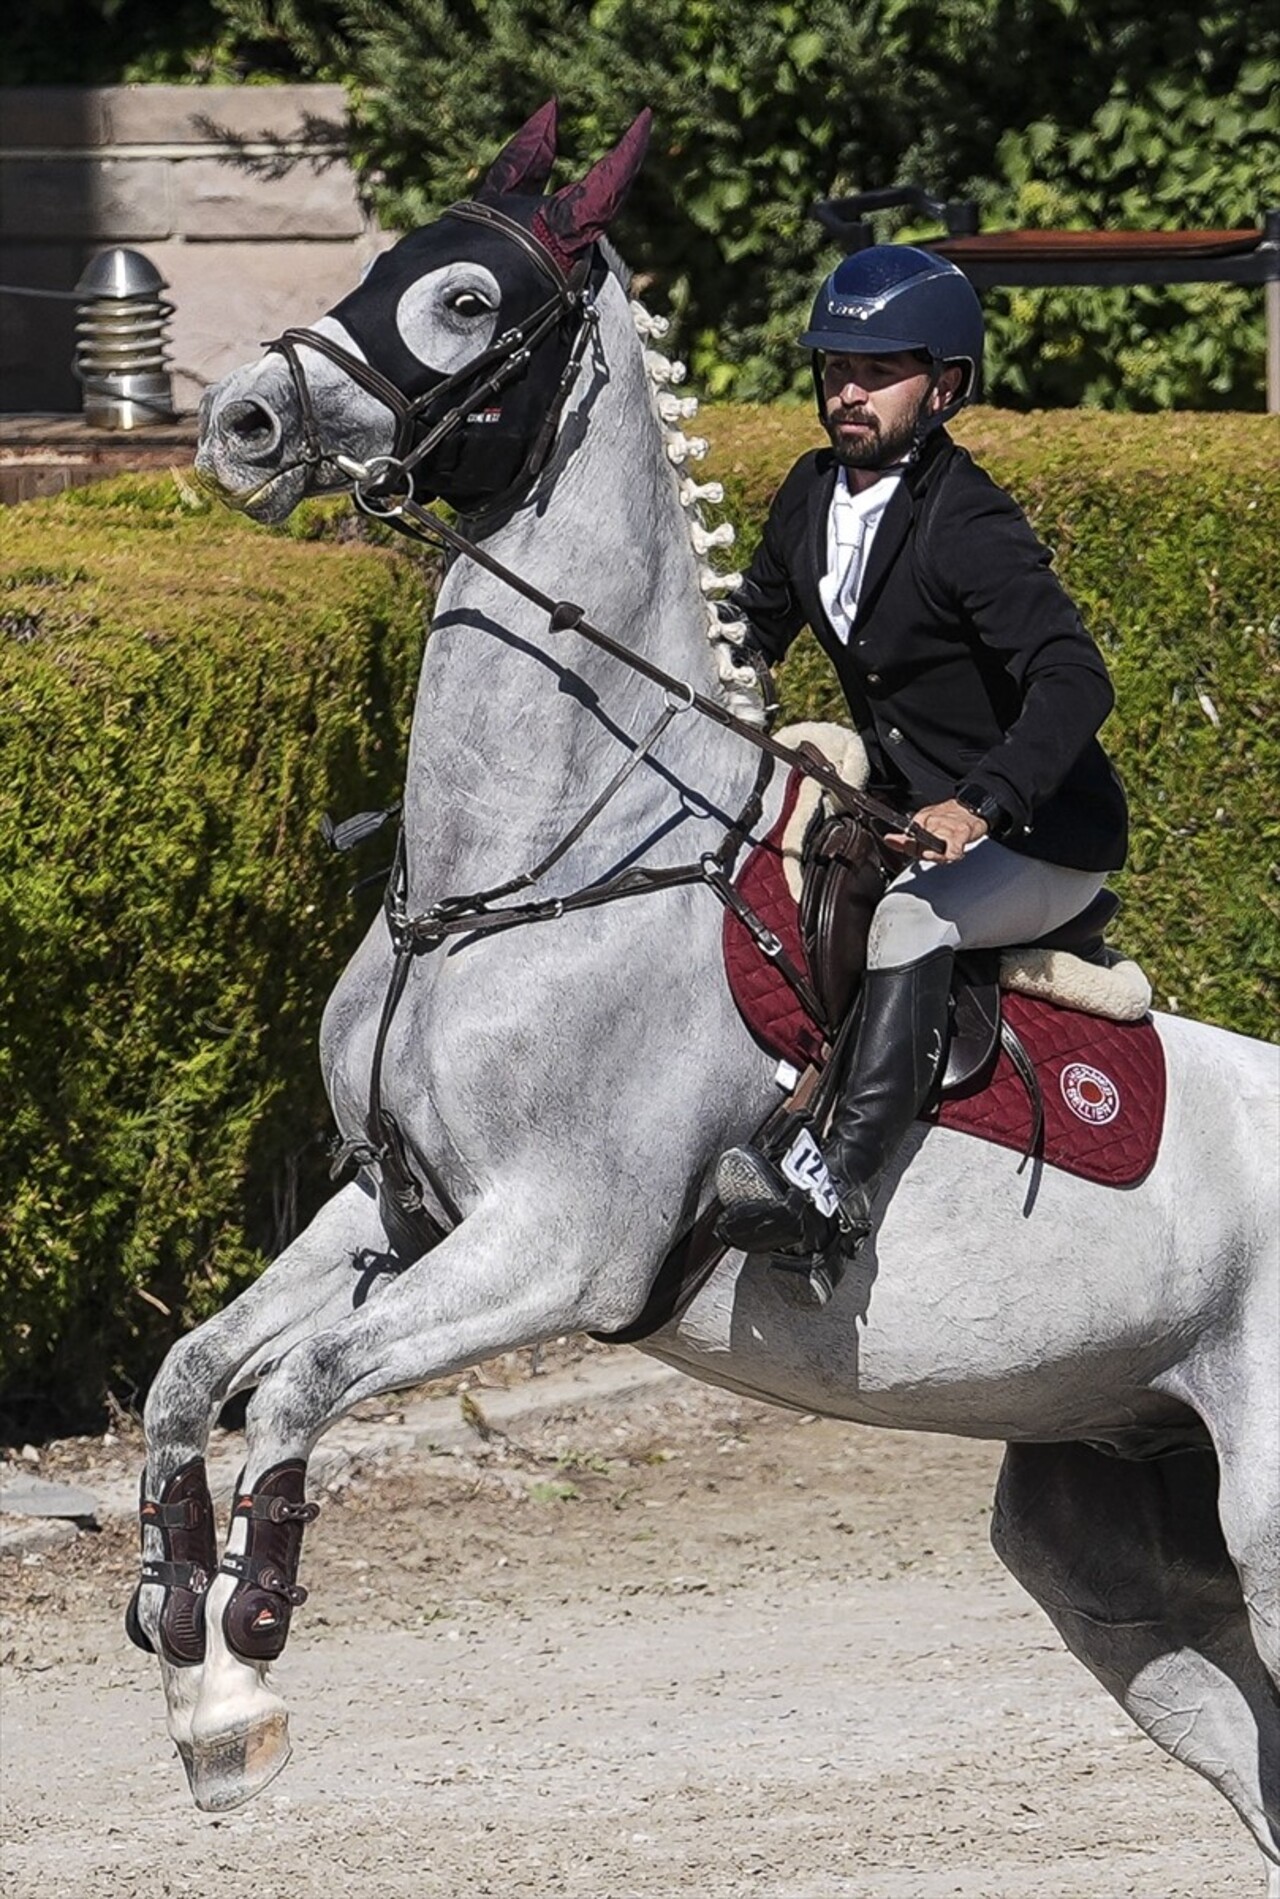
<point x="1129" y="1562"/>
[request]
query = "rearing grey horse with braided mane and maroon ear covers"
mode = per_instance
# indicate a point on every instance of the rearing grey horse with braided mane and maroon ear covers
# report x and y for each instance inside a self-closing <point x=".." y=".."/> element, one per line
<point x="559" y="1093"/>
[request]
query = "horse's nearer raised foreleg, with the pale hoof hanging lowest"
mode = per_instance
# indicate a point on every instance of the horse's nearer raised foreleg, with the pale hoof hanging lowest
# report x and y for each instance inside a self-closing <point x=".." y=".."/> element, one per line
<point x="489" y="1288"/>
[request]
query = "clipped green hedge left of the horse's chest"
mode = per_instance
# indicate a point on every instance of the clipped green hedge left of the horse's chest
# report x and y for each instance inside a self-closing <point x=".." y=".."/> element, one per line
<point x="181" y="696"/>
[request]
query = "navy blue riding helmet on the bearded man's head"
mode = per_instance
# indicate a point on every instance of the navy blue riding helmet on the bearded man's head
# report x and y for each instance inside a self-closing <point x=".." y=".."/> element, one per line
<point x="894" y="297"/>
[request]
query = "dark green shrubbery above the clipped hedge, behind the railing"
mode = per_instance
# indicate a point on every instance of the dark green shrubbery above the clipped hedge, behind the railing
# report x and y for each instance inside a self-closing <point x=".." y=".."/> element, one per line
<point x="1049" y="113"/>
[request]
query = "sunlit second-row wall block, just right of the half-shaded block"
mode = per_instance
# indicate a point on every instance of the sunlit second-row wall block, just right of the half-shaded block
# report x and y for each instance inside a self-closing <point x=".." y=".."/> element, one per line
<point x="259" y="198"/>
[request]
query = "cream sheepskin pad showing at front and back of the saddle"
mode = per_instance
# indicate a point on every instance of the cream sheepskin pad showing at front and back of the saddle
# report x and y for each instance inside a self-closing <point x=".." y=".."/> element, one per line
<point x="1118" y="990"/>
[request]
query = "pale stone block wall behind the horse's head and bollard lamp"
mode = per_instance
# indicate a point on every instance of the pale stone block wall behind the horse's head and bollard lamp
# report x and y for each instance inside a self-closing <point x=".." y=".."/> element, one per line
<point x="238" y="195"/>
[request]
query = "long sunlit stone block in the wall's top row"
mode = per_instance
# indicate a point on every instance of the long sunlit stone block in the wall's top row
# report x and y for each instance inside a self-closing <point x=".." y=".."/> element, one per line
<point x="225" y="115"/>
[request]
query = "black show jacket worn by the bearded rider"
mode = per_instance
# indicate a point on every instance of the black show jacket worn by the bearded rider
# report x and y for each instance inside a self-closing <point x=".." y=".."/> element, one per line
<point x="968" y="662"/>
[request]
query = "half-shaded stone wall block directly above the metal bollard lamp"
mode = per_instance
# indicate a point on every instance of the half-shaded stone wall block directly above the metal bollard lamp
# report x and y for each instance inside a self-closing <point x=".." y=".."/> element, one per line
<point x="107" y="200"/>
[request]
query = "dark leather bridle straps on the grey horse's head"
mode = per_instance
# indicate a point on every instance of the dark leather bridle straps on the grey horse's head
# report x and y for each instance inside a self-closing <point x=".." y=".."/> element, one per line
<point x="443" y="409"/>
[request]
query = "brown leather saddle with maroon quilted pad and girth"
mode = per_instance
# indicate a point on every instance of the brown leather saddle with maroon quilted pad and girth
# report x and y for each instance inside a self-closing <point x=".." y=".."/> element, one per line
<point x="804" y="947"/>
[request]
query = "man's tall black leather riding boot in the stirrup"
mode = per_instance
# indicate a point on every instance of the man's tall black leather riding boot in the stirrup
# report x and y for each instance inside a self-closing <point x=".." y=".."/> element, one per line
<point x="895" y="1061"/>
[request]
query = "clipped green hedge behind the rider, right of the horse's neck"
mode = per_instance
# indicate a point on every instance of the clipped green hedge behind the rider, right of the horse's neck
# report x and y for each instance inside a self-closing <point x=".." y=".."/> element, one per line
<point x="1167" y="531"/>
